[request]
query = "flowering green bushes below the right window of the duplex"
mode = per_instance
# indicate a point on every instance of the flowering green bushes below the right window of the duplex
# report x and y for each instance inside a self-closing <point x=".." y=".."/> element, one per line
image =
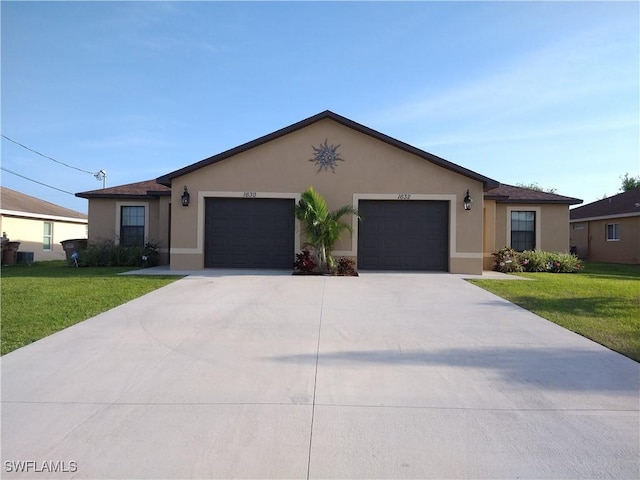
<point x="508" y="260"/>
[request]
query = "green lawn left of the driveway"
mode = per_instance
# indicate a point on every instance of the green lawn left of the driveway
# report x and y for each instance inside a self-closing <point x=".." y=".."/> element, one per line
<point x="45" y="297"/>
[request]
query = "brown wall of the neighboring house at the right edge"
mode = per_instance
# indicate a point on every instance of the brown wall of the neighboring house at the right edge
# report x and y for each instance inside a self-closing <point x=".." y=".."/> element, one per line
<point x="592" y="242"/>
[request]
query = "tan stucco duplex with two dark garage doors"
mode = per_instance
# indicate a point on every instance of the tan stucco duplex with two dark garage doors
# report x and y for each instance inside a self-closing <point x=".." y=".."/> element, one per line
<point x="235" y="209"/>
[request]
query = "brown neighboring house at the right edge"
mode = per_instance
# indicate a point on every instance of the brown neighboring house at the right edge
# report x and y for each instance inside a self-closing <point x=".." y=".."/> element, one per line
<point x="608" y="230"/>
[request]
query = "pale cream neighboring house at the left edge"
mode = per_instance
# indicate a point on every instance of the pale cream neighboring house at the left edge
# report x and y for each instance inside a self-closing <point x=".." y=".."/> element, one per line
<point x="39" y="226"/>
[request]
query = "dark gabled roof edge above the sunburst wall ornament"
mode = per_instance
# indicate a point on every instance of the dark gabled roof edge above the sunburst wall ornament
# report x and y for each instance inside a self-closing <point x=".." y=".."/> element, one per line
<point x="488" y="182"/>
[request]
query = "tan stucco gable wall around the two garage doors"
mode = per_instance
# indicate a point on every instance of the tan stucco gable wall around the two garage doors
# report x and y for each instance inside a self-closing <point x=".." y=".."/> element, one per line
<point x="371" y="169"/>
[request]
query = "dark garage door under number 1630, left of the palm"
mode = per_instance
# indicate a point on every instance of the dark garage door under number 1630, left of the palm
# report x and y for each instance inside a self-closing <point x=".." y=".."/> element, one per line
<point x="249" y="232"/>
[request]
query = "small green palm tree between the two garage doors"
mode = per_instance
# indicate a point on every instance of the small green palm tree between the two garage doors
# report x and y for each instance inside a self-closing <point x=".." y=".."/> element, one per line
<point x="322" y="227"/>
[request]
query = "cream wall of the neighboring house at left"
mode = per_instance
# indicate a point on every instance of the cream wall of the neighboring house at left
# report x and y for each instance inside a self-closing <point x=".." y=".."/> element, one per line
<point x="30" y="233"/>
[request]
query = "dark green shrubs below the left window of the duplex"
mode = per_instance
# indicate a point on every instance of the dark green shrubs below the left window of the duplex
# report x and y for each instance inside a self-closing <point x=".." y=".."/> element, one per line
<point x="108" y="254"/>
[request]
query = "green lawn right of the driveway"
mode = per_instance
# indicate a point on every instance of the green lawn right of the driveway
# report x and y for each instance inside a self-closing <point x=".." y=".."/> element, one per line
<point x="602" y="302"/>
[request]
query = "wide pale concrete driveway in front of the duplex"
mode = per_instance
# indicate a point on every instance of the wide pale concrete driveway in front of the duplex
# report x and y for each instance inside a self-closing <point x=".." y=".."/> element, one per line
<point x="274" y="376"/>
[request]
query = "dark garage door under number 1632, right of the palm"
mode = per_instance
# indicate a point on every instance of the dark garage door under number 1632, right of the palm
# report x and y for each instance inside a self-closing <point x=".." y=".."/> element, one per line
<point x="403" y="235"/>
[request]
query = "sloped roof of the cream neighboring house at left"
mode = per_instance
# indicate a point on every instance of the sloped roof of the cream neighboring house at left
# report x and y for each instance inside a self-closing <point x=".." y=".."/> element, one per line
<point x="18" y="204"/>
